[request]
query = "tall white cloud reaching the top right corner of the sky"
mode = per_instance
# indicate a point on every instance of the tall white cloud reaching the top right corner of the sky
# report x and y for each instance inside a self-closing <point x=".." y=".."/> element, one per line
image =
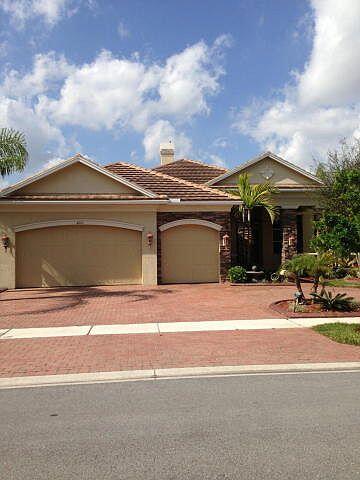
<point x="323" y="104"/>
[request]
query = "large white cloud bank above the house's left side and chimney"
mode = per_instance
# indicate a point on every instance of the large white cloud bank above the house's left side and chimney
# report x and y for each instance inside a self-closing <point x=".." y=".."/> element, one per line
<point x="155" y="100"/>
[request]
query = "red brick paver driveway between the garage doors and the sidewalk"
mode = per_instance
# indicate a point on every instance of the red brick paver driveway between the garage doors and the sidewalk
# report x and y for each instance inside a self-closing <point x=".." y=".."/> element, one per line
<point x="137" y="304"/>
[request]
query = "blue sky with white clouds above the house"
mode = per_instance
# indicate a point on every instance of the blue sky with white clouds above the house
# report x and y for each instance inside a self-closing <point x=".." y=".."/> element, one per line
<point x="224" y="80"/>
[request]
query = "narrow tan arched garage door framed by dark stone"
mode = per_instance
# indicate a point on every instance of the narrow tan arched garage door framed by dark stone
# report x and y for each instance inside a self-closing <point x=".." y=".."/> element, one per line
<point x="190" y="254"/>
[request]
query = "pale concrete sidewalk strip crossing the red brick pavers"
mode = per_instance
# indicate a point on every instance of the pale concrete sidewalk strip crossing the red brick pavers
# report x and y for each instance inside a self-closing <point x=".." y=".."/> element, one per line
<point x="169" y="327"/>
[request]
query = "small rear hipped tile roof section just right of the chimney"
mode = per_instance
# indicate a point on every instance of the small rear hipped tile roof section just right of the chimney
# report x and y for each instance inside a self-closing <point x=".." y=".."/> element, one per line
<point x="191" y="170"/>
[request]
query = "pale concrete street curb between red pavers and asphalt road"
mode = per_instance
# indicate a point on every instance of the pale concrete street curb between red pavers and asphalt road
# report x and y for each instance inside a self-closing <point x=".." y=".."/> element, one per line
<point x="172" y="373"/>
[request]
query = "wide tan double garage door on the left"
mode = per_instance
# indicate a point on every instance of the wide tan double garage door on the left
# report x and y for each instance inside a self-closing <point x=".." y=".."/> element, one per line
<point x="75" y="255"/>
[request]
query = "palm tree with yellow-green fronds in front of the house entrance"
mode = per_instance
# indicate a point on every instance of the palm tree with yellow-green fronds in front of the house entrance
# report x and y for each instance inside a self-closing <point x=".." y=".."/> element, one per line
<point x="257" y="195"/>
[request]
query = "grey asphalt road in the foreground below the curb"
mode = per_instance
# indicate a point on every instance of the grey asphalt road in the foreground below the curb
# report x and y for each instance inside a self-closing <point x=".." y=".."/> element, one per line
<point x="249" y="427"/>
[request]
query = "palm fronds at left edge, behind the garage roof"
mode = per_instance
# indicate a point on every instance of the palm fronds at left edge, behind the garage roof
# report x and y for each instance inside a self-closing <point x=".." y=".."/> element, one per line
<point x="13" y="152"/>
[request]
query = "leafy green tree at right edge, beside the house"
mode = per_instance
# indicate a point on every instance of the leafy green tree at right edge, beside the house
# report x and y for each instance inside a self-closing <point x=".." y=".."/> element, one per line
<point x="338" y="229"/>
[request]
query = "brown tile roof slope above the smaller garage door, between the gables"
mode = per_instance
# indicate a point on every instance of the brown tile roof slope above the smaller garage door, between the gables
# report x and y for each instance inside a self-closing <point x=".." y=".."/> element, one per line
<point x="162" y="184"/>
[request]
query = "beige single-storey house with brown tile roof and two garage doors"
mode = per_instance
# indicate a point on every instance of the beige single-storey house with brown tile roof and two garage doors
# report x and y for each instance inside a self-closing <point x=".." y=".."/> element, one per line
<point x="79" y="223"/>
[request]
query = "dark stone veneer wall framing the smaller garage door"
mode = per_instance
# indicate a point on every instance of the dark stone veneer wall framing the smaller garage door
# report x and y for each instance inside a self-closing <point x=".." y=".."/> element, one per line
<point x="221" y="218"/>
